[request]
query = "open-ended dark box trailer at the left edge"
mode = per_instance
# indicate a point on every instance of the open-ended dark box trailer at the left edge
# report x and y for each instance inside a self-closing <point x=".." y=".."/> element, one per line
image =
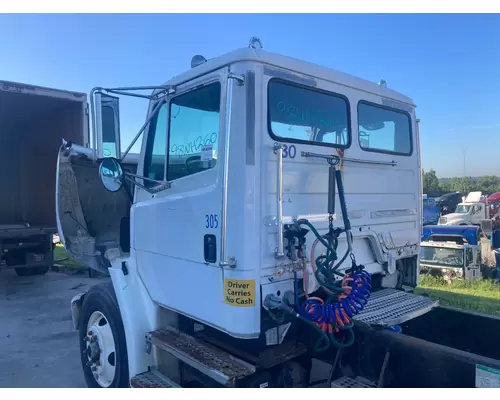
<point x="33" y="121"/>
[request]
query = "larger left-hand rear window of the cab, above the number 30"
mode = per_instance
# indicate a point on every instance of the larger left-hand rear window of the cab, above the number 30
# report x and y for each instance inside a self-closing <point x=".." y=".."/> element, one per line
<point x="304" y="115"/>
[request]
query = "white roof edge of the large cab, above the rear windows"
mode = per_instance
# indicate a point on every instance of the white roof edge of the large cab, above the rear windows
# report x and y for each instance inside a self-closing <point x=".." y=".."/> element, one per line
<point x="293" y="65"/>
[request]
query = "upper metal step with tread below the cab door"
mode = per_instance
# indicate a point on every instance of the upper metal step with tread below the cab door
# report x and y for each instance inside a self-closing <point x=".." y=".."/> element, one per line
<point x="210" y="361"/>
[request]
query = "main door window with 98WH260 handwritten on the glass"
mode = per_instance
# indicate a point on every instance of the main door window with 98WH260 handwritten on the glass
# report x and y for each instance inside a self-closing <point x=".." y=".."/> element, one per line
<point x="194" y="131"/>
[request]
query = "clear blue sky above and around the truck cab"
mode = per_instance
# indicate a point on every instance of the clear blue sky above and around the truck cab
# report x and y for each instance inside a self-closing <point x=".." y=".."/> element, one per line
<point x="449" y="64"/>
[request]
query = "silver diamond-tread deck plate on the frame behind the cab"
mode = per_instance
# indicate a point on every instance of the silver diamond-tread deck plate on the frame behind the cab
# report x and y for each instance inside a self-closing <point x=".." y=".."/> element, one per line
<point x="393" y="307"/>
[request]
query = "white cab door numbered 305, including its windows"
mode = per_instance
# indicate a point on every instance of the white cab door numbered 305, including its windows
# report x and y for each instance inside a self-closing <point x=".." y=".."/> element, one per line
<point x="176" y="230"/>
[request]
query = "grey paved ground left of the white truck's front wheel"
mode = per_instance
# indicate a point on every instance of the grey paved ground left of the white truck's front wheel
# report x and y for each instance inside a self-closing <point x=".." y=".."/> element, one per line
<point x="38" y="345"/>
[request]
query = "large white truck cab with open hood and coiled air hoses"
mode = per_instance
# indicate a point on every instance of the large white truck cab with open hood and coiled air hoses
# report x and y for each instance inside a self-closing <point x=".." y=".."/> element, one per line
<point x="263" y="184"/>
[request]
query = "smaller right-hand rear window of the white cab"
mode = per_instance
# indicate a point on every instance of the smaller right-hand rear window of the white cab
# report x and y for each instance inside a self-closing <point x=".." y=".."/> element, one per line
<point x="384" y="130"/>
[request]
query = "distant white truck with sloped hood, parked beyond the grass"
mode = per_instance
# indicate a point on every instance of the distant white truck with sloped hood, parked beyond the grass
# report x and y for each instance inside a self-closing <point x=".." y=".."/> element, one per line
<point x="470" y="212"/>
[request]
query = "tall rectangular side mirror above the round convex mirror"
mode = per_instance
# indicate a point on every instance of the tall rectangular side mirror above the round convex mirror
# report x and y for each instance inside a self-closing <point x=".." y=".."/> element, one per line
<point x="107" y="125"/>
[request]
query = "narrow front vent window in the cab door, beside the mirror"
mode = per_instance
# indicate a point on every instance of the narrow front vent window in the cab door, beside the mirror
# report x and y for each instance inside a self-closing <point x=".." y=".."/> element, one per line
<point x="154" y="163"/>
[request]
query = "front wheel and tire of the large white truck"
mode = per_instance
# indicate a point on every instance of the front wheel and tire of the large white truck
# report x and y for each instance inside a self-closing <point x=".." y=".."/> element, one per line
<point x="101" y="300"/>
